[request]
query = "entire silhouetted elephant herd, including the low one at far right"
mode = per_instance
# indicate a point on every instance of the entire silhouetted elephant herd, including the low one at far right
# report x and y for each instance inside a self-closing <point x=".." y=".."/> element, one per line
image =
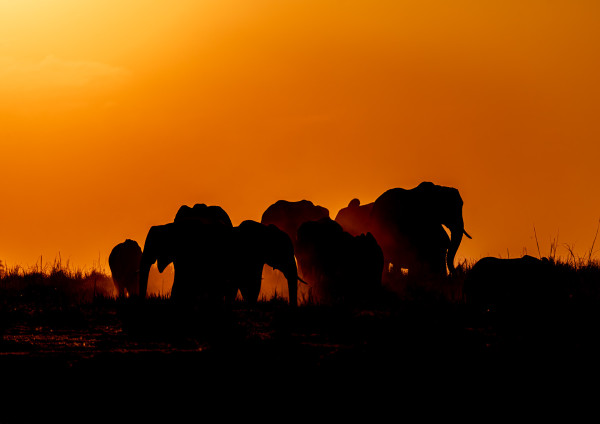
<point x="343" y="259"/>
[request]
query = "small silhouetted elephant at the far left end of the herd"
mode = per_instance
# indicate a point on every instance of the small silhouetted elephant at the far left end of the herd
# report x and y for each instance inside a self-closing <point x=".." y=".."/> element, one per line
<point x="124" y="262"/>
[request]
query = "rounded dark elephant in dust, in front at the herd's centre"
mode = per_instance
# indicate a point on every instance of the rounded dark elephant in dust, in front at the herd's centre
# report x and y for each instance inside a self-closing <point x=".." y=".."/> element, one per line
<point x="340" y="267"/>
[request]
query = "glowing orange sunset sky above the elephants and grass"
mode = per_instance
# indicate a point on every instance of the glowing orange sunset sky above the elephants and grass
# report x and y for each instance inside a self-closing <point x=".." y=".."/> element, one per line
<point x="113" y="113"/>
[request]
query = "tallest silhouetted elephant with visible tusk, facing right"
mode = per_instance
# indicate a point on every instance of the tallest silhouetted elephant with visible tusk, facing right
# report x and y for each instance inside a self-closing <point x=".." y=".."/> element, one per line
<point x="407" y="224"/>
